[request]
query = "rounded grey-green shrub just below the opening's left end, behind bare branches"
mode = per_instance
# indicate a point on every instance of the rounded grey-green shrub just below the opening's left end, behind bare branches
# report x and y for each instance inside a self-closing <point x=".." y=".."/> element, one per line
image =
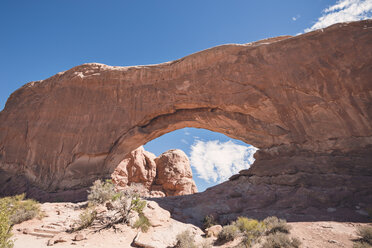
<point x="101" y="192"/>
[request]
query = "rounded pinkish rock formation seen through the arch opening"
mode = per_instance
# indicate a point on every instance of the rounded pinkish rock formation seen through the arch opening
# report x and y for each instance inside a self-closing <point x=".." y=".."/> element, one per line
<point x="168" y="175"/>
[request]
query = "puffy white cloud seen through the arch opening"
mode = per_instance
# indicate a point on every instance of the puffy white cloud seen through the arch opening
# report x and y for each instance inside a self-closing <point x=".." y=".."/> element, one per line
<point x="216" y="161"/>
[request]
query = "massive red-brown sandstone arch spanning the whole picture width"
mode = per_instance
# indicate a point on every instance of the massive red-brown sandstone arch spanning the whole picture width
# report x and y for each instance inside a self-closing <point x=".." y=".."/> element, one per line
<point x="305" y="101"/>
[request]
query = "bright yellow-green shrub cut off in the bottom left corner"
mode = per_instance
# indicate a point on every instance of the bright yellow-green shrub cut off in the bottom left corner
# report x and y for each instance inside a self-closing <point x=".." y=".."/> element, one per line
<point x="5" y="227"/>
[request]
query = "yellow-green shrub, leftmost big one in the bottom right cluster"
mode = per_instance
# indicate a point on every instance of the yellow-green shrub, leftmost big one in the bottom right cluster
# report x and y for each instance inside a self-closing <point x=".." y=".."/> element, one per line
<point x="252" y="229"/>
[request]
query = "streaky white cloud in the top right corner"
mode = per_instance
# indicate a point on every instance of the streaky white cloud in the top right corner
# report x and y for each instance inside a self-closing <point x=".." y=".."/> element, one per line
<point x="344" y="11"/>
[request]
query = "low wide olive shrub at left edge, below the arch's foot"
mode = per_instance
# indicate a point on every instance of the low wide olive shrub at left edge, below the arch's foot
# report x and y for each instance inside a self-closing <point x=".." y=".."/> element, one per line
<point x="20" y="209"/>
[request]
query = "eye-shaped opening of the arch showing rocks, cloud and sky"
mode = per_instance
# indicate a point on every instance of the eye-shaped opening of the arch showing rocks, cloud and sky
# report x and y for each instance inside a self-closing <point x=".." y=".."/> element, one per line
<point x="176" y="162"/>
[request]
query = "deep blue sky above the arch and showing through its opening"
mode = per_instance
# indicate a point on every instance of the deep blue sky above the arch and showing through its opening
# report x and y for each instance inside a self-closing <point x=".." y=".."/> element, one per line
<point x="42" y="38"/>
